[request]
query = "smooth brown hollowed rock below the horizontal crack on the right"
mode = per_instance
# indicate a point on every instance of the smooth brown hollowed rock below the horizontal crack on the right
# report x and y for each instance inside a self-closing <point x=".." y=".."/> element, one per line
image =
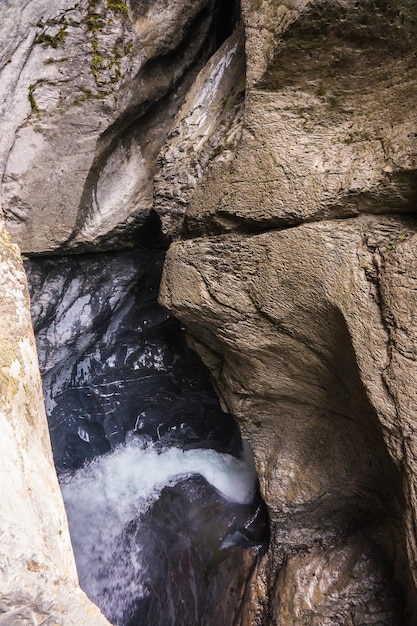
<point x="290" y="324"/>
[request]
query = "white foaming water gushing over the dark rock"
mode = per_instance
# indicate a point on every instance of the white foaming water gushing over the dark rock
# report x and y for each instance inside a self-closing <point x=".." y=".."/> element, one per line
<point x="107" y="497"/>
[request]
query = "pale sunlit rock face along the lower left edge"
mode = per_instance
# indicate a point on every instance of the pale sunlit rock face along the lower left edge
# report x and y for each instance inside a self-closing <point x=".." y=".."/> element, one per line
<point x="37" y="572"/>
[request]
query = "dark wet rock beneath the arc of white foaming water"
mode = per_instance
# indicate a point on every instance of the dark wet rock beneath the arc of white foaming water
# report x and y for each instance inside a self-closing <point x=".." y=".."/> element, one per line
<point x="217" y="574"/>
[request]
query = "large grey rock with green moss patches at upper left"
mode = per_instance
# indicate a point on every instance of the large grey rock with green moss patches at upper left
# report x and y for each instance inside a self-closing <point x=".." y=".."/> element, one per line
<point x="91" y="89"/>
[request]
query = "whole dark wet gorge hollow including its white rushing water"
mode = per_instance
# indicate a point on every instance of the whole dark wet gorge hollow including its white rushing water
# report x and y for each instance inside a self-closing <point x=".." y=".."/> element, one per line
<point x="160" y="491"/>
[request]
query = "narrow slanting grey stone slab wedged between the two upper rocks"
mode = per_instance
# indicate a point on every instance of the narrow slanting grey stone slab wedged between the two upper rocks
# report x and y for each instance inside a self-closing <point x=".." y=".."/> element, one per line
<point x="206" y="130"/>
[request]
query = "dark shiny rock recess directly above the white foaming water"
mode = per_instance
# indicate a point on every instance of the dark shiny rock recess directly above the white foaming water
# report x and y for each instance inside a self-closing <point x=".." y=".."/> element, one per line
<point x="113" y="360"/>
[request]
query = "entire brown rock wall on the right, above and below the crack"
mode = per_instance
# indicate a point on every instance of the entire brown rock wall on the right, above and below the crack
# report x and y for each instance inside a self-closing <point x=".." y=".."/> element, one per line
<point x="307" y="327"/>
